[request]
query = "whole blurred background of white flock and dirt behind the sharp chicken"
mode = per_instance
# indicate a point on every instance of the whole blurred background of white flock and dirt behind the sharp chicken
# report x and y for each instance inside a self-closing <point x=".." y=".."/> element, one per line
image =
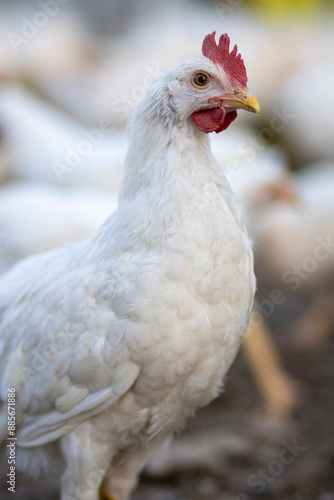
<point x="71" y="73"/>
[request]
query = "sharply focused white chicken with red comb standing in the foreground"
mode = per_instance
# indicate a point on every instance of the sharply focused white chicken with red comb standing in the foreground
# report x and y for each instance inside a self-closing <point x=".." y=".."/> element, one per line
<point x="110" y="343"/>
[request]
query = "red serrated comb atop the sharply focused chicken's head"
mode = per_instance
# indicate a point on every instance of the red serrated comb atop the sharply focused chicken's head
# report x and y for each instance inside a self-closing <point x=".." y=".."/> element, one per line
<point x="220" y="54"/>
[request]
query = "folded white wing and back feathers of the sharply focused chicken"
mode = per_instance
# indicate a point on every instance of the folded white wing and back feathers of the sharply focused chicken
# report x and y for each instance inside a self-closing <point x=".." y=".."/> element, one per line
<point x="57" y="348"/>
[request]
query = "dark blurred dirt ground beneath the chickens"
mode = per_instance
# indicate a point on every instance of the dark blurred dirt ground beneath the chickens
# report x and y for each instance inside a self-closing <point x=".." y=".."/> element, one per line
<point x="230" y="450"/>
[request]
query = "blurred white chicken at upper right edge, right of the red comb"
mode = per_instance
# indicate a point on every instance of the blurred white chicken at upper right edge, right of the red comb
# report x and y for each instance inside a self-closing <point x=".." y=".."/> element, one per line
<point x="309" y="135"/>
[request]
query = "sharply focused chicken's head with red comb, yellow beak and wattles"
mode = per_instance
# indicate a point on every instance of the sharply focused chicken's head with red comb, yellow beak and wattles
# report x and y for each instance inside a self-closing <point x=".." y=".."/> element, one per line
<point x="210" y="90"/>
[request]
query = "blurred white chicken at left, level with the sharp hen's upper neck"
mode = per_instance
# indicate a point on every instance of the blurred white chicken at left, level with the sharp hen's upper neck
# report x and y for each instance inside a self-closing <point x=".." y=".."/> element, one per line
<point x="46" y="144"/>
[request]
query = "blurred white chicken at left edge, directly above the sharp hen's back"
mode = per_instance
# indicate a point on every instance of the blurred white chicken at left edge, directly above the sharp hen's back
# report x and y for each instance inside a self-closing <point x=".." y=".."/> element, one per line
<point x="37" y="217"/>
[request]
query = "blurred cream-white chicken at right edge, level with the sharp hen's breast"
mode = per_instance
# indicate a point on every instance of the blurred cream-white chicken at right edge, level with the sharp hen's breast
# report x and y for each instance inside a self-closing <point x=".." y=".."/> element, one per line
<point x="295" y="252"/>
